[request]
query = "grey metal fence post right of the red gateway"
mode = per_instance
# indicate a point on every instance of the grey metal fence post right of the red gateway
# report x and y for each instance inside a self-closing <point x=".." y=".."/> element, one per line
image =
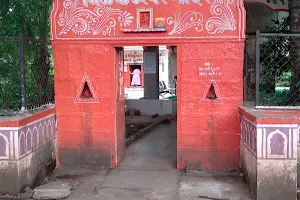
<point x="257" y="63"/>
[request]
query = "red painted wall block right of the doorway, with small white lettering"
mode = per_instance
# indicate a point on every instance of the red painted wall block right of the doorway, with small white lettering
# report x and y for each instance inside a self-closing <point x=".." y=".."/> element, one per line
<point x="211" y="91"/>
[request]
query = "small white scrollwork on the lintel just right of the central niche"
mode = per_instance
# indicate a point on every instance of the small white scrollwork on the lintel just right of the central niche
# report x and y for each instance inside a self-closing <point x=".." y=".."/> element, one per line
<point x="188" y="20"/>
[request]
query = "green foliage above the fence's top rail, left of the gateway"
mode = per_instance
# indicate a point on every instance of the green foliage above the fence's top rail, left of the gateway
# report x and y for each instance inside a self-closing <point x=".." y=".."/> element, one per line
<point x="30" y="17"/>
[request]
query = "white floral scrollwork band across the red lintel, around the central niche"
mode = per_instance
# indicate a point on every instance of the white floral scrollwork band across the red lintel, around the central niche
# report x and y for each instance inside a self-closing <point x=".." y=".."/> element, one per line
<point x="87" y="18"/>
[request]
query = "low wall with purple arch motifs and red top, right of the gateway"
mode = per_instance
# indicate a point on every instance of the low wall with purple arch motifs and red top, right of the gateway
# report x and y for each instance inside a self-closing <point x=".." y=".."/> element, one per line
<point x="269" y="140"/>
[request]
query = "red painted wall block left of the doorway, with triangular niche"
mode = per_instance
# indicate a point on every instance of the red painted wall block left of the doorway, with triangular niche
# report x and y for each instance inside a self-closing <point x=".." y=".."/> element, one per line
<point x="84" y="103"/>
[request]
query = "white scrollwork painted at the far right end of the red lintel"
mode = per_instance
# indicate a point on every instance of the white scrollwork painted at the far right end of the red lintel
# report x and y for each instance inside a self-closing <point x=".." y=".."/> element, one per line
<point x="223" y="17"/>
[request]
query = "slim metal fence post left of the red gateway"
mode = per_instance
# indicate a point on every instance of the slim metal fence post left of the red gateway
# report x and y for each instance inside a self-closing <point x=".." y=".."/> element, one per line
<point x="22" y="72"/>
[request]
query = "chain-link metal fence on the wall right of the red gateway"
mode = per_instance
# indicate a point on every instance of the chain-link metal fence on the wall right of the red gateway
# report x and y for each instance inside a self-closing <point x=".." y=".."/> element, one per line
<point x="272" y="70"/>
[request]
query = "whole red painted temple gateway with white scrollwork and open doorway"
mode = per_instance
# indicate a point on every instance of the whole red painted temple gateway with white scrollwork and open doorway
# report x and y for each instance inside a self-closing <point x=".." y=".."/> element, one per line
<point x="86" y="38"/>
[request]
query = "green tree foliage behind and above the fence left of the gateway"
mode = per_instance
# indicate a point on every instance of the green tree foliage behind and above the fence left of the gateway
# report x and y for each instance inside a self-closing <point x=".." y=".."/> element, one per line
<point x="31" y="18"/>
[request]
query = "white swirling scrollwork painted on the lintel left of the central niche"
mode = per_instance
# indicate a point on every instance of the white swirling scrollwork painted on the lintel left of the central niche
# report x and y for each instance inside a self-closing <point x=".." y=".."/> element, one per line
<point x="82" y="21"/>
